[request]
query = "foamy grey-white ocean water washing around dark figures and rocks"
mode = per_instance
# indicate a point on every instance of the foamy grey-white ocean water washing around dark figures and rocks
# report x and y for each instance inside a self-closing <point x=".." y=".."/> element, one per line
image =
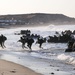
<point x="49" y="59"/>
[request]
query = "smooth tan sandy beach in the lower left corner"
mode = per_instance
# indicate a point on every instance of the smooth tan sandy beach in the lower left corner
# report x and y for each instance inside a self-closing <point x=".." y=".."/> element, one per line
<point x="9" y="68"/>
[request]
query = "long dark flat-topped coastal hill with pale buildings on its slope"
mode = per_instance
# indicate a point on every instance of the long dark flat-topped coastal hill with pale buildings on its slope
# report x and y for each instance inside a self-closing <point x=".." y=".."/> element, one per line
<point x="35" y="19"/>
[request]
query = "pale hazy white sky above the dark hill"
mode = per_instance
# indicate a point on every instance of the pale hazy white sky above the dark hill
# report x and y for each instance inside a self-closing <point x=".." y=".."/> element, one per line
<point x="66" y="7"/>
